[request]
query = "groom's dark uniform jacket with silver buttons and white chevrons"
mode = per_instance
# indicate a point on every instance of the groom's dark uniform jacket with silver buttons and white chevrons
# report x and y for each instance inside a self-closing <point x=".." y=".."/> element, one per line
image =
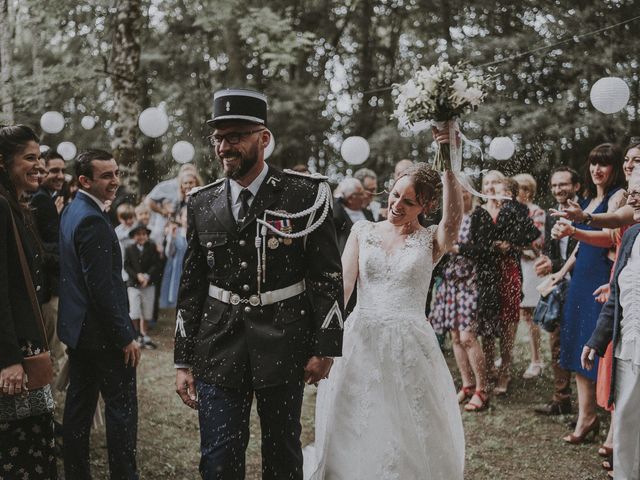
<point x="229" y="345"/>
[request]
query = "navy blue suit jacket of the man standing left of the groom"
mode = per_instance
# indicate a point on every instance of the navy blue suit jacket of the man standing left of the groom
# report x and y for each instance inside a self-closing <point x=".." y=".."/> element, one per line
<point x="93" y="311"/>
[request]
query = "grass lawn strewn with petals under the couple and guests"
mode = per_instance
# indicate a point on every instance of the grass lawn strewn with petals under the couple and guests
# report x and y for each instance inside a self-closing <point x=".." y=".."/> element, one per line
<point x="508" y="441"/>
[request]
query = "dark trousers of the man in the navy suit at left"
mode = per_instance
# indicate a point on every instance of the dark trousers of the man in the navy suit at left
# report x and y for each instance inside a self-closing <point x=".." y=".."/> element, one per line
<point x="92" y="372"/>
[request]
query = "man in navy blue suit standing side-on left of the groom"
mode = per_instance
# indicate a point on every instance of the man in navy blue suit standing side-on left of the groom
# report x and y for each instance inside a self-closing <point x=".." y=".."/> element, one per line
<point x="94" y="323"/>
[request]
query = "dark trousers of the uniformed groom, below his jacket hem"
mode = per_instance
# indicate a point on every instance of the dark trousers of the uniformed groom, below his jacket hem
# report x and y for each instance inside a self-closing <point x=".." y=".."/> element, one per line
<point x="224" y="431"/>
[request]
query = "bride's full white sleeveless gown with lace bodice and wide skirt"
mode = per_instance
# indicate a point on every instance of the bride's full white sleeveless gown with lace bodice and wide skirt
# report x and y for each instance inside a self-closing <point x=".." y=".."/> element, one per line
<point x="388" y="410"/>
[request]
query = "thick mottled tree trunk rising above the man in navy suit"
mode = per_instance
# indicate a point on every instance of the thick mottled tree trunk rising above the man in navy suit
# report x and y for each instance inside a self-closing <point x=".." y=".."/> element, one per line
<point x="125" y="75"/>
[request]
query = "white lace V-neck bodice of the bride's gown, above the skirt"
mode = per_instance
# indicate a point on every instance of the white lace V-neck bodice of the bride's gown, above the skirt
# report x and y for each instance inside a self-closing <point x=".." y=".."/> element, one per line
<point x="396" y="282"/>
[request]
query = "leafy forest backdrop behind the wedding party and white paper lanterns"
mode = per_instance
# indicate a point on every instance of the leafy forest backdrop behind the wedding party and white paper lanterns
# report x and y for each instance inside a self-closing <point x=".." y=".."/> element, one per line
<point x="326" y="67"/>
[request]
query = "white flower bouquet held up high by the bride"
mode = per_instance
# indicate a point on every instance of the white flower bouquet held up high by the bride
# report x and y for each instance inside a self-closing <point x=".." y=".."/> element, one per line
<point x="440" y="94"/>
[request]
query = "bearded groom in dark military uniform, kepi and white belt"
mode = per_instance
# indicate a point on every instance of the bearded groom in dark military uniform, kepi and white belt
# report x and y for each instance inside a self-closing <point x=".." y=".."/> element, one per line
<point x="261" y="297"/>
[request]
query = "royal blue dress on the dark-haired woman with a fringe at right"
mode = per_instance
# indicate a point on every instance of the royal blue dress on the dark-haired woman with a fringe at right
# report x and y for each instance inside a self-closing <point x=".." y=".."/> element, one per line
<point x="580" y="314"/>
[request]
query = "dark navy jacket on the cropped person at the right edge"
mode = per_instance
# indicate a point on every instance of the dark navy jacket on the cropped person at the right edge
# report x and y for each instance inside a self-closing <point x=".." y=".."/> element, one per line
<point x="608" y="327"/>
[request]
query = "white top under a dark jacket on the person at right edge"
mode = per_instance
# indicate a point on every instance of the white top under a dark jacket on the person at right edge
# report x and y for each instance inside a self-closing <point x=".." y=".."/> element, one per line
<point x="628" y="347"/>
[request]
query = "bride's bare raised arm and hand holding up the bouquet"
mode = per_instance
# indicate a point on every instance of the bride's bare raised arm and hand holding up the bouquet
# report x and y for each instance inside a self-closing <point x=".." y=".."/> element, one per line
<point x="452" y="207"/>
